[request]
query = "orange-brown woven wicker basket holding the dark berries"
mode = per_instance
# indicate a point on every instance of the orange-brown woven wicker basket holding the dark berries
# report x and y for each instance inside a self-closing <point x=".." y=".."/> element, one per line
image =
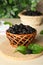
<point x="20" y="39"/>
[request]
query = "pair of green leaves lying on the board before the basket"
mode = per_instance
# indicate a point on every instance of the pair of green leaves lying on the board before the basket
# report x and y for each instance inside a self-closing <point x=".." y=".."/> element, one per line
<point x="35" y="48"/>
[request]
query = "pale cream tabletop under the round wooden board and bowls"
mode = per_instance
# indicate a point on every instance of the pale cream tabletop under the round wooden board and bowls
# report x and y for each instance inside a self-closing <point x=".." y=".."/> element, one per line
<point x="7" y="61"/>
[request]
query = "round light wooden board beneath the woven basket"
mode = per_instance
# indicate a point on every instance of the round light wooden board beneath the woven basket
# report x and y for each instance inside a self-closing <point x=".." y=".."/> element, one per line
<point x="7" y="50"/>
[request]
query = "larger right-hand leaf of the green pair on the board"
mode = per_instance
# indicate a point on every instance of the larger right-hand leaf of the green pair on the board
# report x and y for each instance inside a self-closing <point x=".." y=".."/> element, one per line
<point x="35" y="48"/>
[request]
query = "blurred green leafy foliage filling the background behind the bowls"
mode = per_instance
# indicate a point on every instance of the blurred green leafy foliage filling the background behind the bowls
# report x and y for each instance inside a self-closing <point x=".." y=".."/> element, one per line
<point x="11" y="8"/>
